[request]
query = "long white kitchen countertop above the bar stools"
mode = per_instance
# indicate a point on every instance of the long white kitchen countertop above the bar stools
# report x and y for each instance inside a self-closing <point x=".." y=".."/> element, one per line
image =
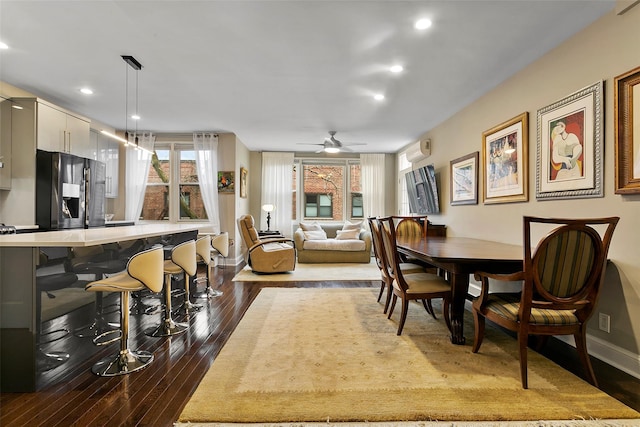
<point x="95" y="236"/>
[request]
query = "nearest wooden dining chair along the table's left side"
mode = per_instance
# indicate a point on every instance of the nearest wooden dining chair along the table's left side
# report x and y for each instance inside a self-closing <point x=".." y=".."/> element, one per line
<point x="411" y="286"/>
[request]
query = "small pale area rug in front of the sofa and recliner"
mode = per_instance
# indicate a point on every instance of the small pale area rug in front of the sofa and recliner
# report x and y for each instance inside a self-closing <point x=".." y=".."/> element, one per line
<point x="315" y="273"/>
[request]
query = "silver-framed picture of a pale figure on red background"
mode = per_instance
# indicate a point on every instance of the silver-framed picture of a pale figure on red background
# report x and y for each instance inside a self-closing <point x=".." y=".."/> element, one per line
<point x="569" y="157"/>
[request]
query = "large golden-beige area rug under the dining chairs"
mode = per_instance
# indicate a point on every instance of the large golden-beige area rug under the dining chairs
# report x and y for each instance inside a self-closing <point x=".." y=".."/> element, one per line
<point x="331" y="356"/>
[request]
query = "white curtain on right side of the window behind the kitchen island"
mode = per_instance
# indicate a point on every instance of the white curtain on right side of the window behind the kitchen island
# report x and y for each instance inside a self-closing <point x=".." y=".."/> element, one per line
<point x="205" y="145"/>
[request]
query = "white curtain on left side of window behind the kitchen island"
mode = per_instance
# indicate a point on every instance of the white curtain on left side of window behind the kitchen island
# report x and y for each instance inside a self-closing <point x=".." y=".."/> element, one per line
<point x="137" y="171"/>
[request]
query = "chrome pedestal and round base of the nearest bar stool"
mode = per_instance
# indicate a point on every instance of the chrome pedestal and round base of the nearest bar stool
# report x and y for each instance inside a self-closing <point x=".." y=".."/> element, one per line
<point x="125" y="361"/>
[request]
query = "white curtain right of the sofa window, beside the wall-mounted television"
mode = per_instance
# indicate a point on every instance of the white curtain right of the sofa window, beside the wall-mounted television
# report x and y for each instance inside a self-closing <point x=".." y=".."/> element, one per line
<point x="373" y="184"/>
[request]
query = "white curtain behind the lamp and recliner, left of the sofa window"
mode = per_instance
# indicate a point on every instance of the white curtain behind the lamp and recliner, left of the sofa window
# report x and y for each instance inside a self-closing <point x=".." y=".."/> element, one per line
<point x="277" y="189"/>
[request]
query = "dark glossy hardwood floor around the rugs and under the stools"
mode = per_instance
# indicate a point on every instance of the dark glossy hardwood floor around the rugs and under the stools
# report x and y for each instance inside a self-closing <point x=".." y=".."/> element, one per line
<point x="70" y="395"/>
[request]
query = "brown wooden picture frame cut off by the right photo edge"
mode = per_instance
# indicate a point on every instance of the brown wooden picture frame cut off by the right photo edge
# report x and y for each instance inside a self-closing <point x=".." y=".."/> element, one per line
<point x="627" y="130"/>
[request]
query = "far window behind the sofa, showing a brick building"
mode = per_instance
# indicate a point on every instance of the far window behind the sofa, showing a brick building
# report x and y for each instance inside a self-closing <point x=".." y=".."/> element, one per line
<point x="330" y="189"/>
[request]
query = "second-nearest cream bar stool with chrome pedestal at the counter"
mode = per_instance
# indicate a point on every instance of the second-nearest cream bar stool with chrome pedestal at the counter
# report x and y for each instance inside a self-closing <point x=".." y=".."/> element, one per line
<point x="183" y="259"/>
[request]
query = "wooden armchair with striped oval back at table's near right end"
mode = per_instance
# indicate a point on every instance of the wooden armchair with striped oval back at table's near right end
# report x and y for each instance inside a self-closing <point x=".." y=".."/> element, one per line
<point x="561" y="280"/>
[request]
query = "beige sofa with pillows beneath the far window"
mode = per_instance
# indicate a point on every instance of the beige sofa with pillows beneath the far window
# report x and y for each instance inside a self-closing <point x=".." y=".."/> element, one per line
<point x="333" y="243"/>
